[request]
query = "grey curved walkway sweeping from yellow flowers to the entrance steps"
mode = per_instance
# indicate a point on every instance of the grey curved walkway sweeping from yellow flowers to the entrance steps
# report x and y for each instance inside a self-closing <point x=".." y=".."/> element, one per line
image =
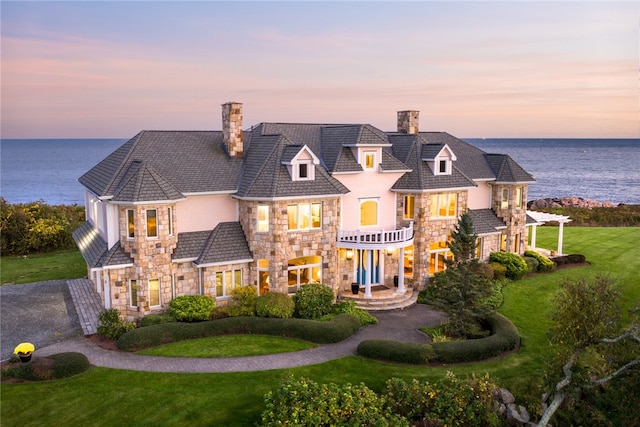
<point x="399" y="325"/>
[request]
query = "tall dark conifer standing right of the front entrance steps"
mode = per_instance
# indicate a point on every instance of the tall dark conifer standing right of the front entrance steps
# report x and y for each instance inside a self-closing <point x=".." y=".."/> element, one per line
<point x="462" y="288"/>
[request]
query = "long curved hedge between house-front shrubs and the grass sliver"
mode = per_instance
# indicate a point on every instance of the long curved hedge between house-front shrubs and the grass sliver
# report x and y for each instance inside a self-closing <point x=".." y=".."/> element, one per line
<point x="338" y="329"/>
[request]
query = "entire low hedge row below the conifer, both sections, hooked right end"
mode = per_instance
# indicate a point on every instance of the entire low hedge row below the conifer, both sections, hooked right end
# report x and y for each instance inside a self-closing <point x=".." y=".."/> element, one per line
<point x="504" y="337"/>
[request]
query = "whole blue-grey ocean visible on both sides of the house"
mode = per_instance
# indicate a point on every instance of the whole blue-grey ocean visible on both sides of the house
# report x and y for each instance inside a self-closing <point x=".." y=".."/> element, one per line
<point x="598" y="169"/>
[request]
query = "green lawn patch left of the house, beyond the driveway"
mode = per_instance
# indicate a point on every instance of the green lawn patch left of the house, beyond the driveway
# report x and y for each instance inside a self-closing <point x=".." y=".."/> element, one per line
<point x="57" y="265"/>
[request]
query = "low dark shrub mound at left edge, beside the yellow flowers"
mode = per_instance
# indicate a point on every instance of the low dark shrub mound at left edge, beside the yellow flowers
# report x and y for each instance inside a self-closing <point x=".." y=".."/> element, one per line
<point x="42" y="369"/>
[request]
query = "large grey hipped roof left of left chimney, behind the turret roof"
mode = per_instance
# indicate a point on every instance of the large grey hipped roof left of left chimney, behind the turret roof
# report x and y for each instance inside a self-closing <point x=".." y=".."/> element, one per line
<point x="190" y="161"/>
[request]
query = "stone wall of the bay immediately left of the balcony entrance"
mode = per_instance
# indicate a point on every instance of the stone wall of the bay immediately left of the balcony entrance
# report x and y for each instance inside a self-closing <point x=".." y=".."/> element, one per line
<point x="279" y="245"/>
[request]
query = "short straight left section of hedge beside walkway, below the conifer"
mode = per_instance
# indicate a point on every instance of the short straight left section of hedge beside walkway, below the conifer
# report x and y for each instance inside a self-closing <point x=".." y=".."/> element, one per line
<point x="396" y="351"/>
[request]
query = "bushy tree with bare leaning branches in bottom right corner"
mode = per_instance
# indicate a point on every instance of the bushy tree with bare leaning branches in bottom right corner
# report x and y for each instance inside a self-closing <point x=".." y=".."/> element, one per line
<point x="589" y="340"/>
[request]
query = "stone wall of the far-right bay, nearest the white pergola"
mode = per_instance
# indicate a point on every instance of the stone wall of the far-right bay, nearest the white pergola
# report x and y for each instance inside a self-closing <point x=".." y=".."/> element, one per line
<point x="514" y="218"/>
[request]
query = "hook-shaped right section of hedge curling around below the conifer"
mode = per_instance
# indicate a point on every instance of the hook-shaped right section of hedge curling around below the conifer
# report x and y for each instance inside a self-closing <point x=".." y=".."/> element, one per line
<point x="504" y="337"/>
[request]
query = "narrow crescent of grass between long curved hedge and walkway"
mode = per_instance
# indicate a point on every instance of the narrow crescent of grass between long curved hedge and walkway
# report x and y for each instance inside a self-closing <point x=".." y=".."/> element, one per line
<point x="229" y="346"/>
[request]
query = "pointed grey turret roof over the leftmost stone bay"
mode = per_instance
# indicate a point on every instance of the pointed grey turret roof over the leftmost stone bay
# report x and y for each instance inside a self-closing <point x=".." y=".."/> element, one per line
<point x="144" y="184"/>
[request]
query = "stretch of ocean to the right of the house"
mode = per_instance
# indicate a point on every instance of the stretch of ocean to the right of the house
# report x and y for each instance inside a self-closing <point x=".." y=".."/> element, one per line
<point x="597" y="169"/>
